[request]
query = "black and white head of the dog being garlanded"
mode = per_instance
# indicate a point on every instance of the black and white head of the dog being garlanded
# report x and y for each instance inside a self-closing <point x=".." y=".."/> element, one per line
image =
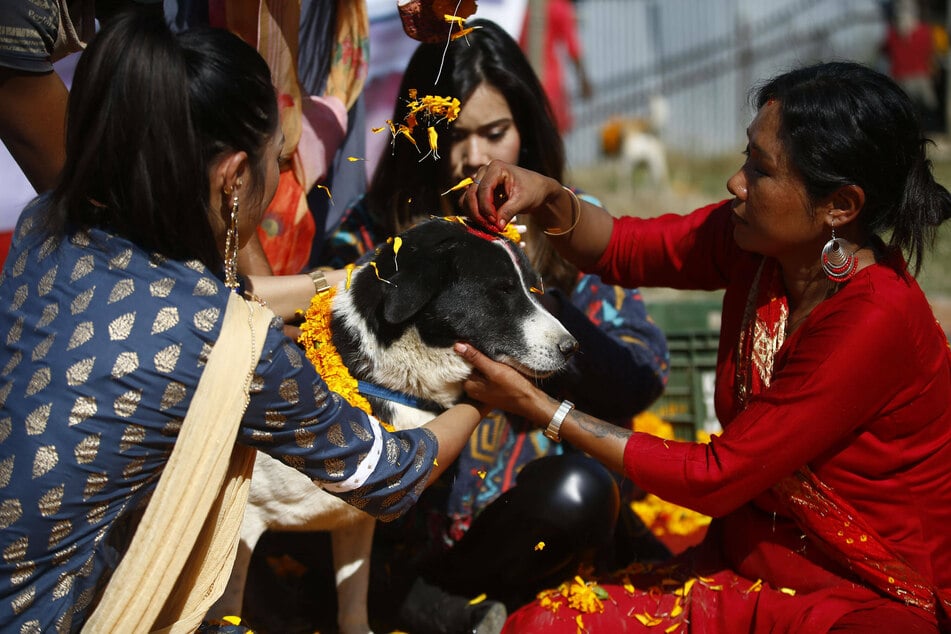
<point x="438" y="283"/>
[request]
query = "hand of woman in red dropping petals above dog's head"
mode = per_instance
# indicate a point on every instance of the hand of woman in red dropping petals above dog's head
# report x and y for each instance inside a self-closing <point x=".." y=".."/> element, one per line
<point x="502" y="190"/>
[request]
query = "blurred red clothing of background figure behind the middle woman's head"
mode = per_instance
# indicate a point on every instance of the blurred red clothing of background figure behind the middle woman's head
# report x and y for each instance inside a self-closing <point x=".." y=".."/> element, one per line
<point x="561" y="30"/>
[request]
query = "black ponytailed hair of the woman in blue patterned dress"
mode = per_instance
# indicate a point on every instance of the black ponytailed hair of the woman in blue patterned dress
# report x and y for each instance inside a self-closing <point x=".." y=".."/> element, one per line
<point x="148" y="114"/>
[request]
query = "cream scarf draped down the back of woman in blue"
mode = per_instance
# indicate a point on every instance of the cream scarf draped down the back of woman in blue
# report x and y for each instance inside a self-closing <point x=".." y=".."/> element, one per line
<point x="182" y="552"/>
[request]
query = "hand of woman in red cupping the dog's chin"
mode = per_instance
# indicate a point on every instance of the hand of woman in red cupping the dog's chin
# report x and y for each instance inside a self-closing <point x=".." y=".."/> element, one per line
<point x="503" y="387"/>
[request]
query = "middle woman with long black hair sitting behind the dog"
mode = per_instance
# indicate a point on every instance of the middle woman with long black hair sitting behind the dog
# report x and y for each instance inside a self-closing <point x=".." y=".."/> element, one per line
<point x="476" y="532"/>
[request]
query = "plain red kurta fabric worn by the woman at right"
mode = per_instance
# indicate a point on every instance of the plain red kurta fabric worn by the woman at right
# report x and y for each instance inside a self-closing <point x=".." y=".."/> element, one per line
<point x="859" y="393"/>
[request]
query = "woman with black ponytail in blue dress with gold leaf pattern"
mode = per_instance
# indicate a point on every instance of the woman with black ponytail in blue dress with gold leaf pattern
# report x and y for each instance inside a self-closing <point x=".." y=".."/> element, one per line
<point x="113" y="297"/>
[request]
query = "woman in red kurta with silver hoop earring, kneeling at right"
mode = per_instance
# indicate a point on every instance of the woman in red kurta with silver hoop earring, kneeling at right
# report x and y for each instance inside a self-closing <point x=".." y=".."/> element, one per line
<point x="831" y="481"/>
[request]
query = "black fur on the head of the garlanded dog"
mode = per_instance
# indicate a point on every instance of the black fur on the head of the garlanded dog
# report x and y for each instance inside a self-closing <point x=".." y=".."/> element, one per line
<point x="449" y="282"/>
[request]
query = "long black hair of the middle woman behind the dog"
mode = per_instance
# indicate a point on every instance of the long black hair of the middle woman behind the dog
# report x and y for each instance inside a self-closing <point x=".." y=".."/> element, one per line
<point x="404" y="189"/>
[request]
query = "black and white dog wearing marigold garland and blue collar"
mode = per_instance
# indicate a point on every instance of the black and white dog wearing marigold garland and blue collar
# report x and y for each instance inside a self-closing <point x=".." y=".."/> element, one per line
<point x="442" y="281"/>
